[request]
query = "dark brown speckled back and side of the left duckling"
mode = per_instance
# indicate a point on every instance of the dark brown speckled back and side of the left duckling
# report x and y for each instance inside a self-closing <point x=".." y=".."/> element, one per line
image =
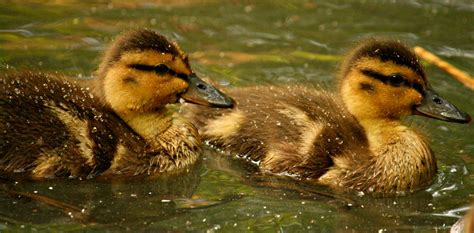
<point x="47" y="120"/>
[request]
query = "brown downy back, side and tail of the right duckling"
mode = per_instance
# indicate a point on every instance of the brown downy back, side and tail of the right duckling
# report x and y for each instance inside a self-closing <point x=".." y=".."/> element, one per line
<point x="291" y="130"/>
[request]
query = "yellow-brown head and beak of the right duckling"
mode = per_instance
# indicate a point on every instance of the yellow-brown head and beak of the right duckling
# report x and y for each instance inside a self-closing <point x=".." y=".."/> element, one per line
<point x="383" y="79"/>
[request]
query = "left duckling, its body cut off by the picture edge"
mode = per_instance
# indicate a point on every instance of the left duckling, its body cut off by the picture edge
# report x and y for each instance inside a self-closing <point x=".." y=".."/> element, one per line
<point x="116" y="124"/>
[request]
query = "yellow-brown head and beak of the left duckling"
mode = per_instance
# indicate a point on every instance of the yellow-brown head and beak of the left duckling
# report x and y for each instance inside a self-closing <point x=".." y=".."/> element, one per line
<point x="142" y="71"/>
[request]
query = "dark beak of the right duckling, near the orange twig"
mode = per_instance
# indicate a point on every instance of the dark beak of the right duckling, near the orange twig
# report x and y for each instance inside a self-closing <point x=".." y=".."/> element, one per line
<point x="436" y="107"/>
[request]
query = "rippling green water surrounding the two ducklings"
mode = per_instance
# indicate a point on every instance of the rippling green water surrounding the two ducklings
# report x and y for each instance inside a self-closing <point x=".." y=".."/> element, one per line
<point x="243" y="43"/>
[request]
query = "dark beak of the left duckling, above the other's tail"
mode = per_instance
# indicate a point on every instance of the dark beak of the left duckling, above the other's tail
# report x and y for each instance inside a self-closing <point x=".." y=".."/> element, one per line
<point x="202" y="93"/>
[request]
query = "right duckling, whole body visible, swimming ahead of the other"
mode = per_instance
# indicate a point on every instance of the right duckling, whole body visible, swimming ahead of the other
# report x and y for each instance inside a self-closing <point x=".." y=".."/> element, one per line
<point x="352" y="140"/>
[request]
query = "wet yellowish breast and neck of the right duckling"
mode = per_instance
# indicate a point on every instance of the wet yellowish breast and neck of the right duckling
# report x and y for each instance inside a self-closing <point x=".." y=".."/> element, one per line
<point x="402" y="159"/>
